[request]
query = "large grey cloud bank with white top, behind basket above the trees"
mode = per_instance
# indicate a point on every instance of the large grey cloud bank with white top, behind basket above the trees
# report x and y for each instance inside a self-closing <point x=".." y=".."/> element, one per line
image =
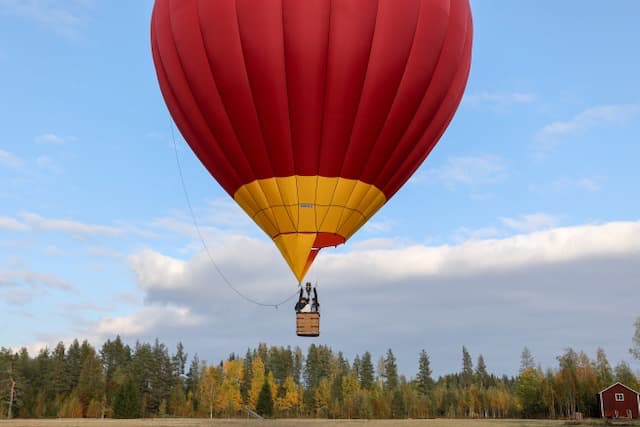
<point x="534" y="289"/>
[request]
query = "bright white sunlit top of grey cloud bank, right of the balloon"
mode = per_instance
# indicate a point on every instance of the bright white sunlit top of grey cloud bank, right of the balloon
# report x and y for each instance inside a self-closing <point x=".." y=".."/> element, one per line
<point x="472" y="257"/>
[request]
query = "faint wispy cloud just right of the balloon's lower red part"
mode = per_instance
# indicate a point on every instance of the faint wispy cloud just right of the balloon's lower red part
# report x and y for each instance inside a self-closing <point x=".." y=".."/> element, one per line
<point x="469" y="170"/>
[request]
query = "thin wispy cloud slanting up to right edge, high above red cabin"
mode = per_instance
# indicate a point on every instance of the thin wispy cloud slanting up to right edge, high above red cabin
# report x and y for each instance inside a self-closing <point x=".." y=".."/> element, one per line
<point x="550" y="135"/>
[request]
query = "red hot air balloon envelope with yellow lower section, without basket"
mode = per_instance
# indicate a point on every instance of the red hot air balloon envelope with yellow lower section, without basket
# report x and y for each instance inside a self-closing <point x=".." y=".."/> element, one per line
<point x="311" y="114"/>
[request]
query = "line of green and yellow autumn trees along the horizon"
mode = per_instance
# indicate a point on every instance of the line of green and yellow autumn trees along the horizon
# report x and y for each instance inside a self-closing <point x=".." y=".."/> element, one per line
<point x="147" y="380"/>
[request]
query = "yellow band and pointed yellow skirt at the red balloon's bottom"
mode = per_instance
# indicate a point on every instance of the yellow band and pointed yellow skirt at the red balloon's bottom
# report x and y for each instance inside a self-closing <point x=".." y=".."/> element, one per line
<point x="293" y="210"/>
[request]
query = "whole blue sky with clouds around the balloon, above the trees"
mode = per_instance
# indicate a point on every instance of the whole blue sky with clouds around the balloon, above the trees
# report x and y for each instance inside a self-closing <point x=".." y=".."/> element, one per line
<point x="521" y="228"/>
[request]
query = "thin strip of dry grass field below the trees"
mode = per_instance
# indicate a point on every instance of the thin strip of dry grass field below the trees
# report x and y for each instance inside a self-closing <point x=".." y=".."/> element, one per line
<point x="190" y="422"/>
